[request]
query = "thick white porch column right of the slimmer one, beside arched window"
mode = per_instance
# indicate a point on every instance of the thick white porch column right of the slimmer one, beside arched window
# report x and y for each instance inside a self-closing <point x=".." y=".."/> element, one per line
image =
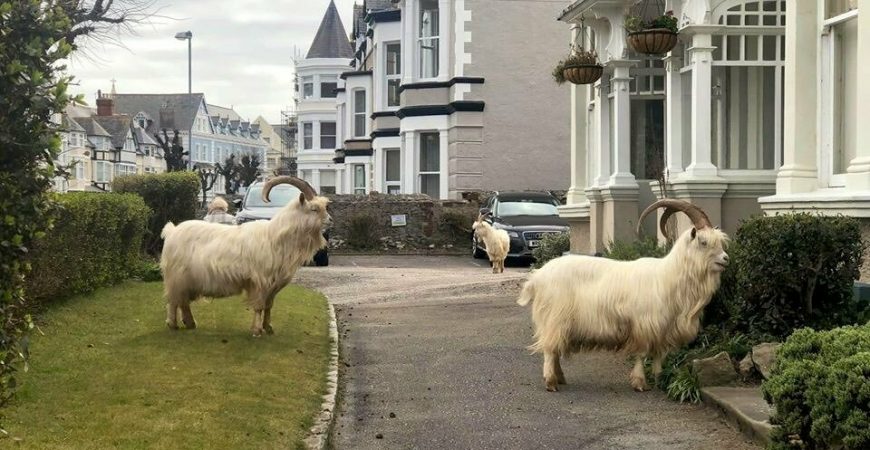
<point x="702" y="72"/>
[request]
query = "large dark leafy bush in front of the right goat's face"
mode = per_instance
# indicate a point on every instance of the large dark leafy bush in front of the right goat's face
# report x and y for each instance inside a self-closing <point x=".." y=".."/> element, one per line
<point x="790" y="271"/>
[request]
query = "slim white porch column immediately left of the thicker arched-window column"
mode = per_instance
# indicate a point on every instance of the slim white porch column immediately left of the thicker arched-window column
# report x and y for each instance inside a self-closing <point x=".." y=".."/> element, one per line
<point x="674" y="115"/>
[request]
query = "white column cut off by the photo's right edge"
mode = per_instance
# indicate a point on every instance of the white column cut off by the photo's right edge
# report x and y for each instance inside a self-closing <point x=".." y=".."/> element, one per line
<point x="858" y="173"/>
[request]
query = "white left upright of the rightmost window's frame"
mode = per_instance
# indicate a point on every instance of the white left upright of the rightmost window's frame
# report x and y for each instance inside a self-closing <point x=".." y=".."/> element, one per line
<point x="829" y="114"/>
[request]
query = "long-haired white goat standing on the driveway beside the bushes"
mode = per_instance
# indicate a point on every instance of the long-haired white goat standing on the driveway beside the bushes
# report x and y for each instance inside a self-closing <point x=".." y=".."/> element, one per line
<point x="645" y="307"/>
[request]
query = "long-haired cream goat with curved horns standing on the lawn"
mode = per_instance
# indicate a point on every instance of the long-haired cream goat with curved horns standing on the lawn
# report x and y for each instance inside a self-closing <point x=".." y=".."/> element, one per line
<point x="202" y="259"/>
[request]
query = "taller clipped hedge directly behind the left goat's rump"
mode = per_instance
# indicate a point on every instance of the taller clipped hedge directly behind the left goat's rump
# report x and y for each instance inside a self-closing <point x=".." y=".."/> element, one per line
<point x="173" y="197"/>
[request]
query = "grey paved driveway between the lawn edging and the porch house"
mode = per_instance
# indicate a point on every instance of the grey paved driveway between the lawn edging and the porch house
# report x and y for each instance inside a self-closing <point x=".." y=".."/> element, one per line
<point x="433" y="357"/>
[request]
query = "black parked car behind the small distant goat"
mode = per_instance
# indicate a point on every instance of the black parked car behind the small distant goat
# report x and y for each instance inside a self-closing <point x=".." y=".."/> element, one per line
<point x="526" y="216"/>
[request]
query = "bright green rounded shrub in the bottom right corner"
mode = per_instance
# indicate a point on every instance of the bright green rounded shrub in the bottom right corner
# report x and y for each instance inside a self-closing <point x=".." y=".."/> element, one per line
<point x="820" y="387"/>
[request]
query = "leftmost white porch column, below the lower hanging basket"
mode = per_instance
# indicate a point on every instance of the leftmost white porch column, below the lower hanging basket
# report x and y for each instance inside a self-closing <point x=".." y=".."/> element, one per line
<point x="579" y="98"/>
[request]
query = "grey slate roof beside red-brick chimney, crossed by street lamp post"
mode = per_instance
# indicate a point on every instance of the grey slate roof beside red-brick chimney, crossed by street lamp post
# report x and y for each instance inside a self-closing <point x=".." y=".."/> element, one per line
<point x="179" y="110"/>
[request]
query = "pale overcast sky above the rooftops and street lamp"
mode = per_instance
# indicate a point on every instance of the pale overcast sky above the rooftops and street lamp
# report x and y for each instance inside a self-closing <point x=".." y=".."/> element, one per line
<point x="242" y="53"/>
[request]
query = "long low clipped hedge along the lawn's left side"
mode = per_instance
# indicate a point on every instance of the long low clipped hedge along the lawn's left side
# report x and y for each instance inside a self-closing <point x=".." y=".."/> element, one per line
<point x="96" y="241"/>
